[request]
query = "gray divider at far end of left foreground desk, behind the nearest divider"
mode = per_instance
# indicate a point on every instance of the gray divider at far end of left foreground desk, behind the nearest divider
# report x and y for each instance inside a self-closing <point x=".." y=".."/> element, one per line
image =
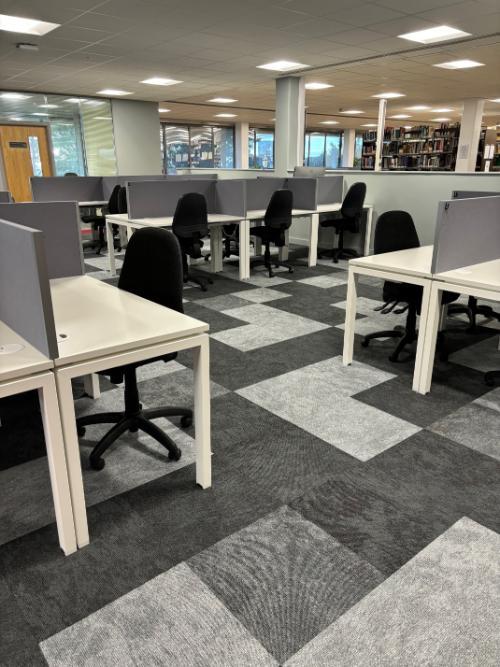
<point x="60" y="224"/>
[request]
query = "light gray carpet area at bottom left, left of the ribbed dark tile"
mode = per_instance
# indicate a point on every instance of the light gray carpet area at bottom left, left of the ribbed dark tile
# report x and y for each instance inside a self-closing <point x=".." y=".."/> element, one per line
<point x="174" y="619"/>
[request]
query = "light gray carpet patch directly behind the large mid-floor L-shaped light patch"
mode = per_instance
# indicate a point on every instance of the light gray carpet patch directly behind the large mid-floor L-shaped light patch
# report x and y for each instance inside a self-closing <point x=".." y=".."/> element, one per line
<point x="266" y="326"/>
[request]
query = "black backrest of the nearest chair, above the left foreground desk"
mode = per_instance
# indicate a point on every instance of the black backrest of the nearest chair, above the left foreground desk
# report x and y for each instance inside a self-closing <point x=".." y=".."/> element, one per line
<point x="152" y="267"/>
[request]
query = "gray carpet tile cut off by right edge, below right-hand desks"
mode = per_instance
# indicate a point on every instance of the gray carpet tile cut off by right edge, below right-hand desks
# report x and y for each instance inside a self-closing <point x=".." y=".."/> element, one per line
<point x="474" y="426"/>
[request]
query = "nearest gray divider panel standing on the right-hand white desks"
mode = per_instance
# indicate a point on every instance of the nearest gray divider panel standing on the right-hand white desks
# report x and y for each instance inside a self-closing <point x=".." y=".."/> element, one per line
<point x="467" y="232"/>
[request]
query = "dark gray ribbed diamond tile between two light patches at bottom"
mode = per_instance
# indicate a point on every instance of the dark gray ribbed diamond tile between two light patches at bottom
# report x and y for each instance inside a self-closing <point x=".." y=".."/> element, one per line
<point x="285" y="579"/>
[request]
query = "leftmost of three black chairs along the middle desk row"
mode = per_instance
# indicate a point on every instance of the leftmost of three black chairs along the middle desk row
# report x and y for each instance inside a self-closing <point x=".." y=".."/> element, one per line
<point x="190" y="225"/>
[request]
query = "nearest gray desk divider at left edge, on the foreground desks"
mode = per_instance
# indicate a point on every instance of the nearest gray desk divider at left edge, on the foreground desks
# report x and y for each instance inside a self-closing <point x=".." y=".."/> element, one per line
<point x="25" y="301"/>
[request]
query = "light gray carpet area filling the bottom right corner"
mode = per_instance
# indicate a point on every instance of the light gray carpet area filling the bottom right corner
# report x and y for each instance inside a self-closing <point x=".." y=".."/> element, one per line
<point x="440" y="609"/>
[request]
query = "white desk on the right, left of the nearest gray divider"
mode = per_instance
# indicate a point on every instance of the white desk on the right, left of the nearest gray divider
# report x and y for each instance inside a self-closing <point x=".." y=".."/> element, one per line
<point x="407" y="266"/>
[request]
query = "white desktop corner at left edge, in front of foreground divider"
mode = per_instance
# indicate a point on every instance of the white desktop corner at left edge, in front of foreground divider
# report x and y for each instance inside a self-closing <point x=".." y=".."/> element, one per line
<point x="27" y="361"/>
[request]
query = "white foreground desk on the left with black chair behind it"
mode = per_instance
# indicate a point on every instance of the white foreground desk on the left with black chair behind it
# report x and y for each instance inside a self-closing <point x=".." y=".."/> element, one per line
<point x="108" y="327"/>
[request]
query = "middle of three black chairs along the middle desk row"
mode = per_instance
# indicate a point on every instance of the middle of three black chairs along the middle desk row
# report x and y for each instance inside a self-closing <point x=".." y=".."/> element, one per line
<point x="277" y="220"/>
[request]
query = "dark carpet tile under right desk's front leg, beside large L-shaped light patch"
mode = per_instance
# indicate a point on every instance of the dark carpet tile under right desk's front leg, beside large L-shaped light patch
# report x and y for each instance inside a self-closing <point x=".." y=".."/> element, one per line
<point x="397" y="398"/>
